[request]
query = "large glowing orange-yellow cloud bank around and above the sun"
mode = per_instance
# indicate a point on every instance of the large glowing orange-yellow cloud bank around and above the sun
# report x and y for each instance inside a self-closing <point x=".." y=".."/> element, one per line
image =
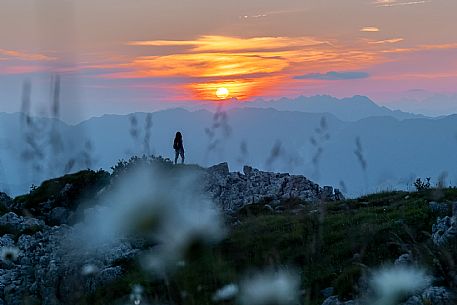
<point x="246" y="66"/>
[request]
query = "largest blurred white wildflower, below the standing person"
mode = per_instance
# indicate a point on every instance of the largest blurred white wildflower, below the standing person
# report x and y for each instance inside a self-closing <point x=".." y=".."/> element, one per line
<point x="166" y="206"/>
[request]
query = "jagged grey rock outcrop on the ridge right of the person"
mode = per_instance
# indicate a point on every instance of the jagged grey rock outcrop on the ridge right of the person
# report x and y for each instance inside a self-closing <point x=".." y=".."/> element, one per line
<point x="234" y="190"/>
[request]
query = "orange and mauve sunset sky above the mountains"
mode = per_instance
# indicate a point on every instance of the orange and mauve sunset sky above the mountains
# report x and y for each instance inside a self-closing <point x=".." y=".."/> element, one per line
<point x="185" y="50"/>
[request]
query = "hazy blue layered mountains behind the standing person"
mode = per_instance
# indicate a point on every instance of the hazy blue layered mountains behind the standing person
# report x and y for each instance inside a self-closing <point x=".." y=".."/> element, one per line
<point x="384" y="150"/>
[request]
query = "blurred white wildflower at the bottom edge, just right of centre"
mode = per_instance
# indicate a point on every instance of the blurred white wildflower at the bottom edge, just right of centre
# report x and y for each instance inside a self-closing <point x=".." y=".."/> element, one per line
<point x="281" y="287"/>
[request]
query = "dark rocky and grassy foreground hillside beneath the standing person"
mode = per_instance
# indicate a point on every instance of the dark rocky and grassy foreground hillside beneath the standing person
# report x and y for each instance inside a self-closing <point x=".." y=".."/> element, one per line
<point x="93" y="237"/>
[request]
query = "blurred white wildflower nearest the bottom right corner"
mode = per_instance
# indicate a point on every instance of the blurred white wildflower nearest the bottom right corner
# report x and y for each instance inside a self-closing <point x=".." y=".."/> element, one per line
<point x="393" y="283"/>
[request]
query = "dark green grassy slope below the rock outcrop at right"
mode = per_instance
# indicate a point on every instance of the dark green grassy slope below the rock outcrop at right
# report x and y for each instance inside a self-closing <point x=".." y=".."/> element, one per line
<point x="332" y="245"/>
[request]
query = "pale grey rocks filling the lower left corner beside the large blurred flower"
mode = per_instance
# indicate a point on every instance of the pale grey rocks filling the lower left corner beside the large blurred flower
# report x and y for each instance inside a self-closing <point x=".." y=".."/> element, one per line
<point x="51" y="268"/>
